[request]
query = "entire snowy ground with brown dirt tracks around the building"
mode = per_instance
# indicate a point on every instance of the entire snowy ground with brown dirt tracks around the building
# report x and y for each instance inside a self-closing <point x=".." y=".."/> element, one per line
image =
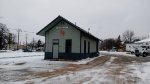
<point x="17" y="67"/>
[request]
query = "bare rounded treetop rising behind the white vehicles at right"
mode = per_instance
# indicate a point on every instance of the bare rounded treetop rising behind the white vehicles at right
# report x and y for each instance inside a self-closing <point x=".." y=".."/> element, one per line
<point x="128" y="36"/>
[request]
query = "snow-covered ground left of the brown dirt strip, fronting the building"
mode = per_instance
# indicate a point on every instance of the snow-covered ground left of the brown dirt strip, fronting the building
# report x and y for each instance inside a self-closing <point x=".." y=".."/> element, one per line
<point x="18" y="65"/>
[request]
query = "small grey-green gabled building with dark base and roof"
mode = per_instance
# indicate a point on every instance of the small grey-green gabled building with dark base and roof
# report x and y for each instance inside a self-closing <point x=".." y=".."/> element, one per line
<point x="65" y="40"/>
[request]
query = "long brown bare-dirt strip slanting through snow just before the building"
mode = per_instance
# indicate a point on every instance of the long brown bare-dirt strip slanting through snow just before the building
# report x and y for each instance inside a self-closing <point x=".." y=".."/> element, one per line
<point x="75" y="67"/>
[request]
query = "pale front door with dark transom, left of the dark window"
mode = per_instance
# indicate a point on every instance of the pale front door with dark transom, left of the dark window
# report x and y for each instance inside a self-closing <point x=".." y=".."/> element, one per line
<point x="55" y="48"/>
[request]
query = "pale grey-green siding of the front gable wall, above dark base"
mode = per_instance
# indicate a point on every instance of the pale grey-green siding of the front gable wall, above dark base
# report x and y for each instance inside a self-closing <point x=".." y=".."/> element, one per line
<point x="70" y="33"/>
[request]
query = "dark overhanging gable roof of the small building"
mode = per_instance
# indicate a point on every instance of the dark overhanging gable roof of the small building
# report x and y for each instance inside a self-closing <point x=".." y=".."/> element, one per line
<point x="56" y="21"/>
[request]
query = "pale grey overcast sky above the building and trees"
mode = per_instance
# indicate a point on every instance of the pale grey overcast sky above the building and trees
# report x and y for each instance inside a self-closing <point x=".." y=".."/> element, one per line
<point x="105" y="18"/>
